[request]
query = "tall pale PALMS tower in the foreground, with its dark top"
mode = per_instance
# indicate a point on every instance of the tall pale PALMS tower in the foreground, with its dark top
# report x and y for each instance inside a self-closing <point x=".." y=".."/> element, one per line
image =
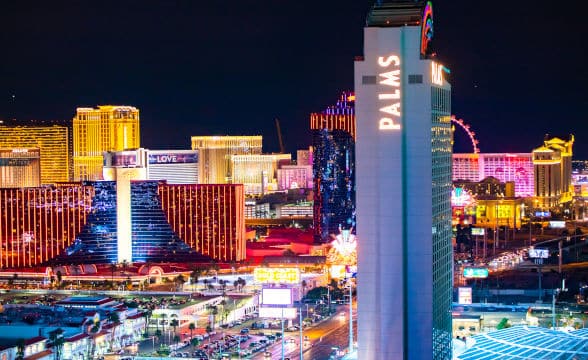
<point x="403" y="152"/>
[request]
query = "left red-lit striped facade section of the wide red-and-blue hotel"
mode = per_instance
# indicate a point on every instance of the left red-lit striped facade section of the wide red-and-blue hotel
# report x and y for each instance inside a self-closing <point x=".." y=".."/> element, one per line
<point x="37" y="224"/>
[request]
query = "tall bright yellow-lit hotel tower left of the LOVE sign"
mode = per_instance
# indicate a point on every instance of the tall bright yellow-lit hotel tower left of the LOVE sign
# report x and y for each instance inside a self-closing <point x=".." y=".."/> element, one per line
<point x="108" y="128"/>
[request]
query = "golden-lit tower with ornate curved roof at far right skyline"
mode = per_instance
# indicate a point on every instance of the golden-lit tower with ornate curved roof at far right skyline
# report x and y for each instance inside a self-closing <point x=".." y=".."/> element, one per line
<point x="553" y="171"/>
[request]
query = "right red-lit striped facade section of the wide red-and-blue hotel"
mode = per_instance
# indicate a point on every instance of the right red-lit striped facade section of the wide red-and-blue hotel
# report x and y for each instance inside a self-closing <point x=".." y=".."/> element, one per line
<point x="208" y="217"/>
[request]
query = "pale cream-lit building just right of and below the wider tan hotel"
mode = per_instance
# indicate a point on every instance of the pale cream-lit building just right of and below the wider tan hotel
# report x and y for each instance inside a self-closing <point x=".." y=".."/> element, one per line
<point x="257" y="172"/>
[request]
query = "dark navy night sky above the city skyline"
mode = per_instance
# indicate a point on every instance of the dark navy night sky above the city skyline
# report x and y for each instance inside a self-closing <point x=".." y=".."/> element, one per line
<point x="230" y="67"/>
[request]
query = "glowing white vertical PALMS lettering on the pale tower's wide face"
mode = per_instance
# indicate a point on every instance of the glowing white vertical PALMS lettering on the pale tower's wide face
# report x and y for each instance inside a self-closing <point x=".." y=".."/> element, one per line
<point x="391" y="113"/>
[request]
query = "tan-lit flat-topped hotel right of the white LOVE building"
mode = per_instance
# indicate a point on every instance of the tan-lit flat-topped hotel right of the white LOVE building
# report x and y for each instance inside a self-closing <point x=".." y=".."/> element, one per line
<point x="215" y="155"/>
